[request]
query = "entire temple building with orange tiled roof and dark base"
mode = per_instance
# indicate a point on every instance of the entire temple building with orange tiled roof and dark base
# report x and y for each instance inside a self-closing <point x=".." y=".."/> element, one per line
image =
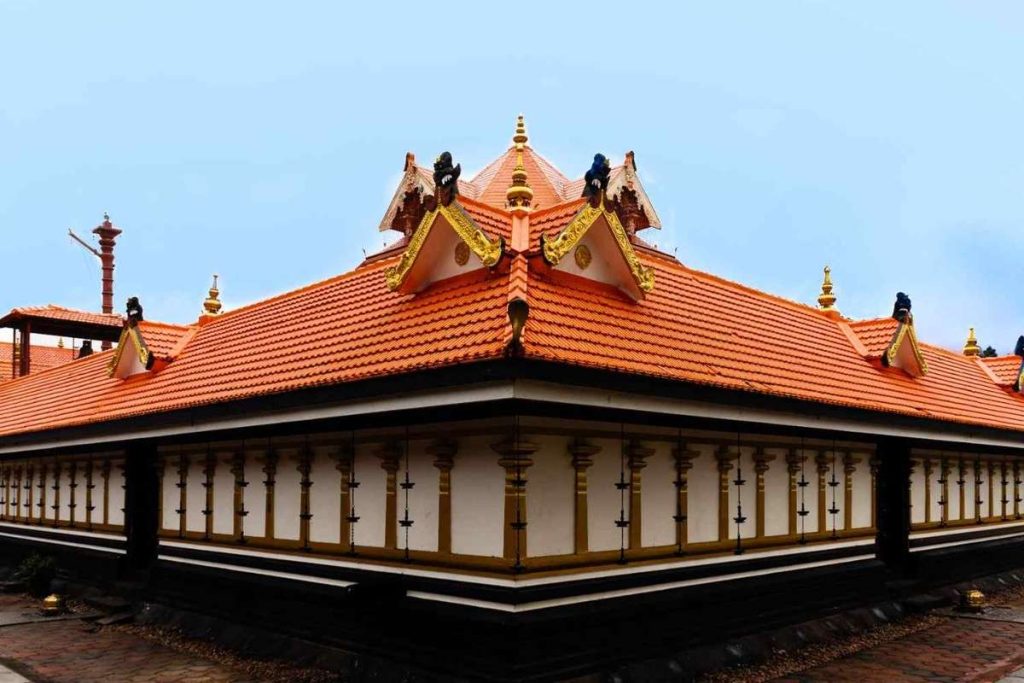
<point x="522" y="436"/>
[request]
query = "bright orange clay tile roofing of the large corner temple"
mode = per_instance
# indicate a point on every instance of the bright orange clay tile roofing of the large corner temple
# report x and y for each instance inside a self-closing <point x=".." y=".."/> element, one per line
<point x="693" y="328"/>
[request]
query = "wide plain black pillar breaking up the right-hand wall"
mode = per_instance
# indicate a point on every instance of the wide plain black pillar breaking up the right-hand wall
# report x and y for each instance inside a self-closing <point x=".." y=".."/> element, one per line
<point x="893" y="514"/>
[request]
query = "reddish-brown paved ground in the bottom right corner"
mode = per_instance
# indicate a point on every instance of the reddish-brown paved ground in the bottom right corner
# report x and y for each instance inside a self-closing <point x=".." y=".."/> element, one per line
<point x="955" y="650"/>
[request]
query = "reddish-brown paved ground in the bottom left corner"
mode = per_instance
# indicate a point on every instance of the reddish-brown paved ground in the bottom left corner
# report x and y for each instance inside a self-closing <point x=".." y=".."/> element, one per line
<point x="75" y="652"/>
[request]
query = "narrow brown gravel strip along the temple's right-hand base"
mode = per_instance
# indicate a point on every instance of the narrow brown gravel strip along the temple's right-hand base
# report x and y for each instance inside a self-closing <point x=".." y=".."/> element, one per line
<point x="785" y="663"/>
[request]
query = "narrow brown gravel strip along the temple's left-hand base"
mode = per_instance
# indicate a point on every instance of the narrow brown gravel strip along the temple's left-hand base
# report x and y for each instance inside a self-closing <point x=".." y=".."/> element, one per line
<point x="260" y="670"/>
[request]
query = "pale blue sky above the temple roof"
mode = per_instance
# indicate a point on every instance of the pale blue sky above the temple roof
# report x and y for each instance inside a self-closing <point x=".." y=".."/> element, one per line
<point x="264" y="141"/>
